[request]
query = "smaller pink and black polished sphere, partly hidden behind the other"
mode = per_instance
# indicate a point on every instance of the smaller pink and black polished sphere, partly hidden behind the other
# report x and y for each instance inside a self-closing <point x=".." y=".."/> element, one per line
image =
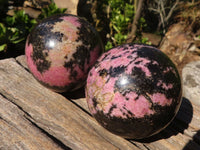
<point x="61" y="50"/>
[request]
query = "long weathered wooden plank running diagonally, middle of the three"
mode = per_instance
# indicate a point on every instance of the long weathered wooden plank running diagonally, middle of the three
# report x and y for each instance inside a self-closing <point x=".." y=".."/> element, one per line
<point x="54" y="113"/>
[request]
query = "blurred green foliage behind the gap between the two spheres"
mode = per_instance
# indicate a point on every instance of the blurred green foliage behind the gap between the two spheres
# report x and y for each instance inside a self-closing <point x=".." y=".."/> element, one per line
<point x="120" y="15"/>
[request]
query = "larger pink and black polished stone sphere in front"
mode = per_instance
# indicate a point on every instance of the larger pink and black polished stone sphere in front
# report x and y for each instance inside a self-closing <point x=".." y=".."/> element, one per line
<point x="134" y="90"/>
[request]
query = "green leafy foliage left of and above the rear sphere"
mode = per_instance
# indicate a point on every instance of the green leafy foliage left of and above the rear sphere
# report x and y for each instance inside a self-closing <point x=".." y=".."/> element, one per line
<point x="14" y="29"/>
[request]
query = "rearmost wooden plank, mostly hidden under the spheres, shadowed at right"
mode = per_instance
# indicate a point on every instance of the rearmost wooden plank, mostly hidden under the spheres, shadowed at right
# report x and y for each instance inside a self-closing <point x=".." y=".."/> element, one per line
<point x="178" y="135"/>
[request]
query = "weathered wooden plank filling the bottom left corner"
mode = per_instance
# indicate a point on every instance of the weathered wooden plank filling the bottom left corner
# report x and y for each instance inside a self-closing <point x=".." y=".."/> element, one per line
<point x="14" y="126"/>
